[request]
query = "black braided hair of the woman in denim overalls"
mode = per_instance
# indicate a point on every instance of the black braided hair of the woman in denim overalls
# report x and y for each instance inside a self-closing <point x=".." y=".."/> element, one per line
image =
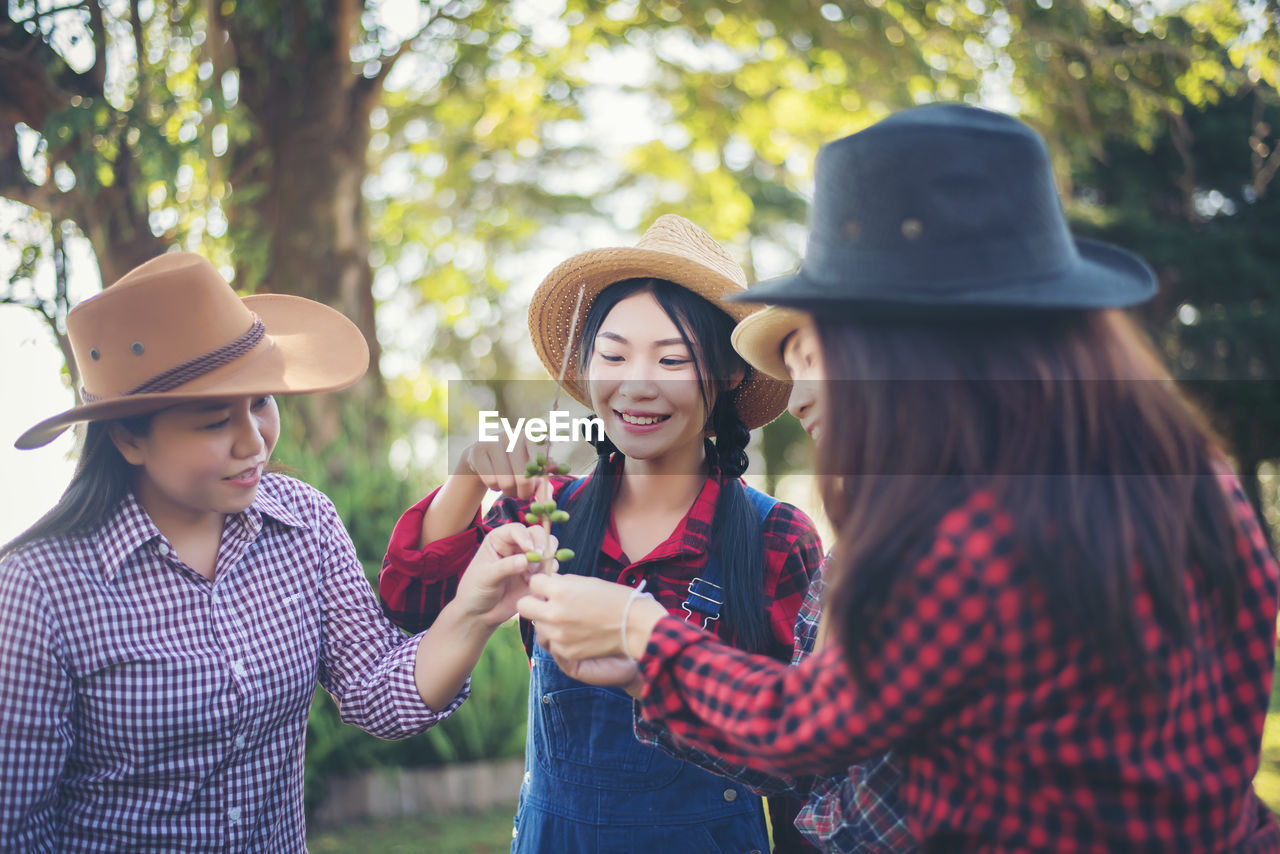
<point x="737" y="532"/>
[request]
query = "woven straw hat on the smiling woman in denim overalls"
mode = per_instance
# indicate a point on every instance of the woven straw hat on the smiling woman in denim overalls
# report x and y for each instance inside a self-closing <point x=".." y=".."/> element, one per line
<point x="673" y="249"/>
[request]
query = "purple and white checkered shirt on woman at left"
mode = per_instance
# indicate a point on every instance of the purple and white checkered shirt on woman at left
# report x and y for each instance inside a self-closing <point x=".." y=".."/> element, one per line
<point x="144" y="707"/>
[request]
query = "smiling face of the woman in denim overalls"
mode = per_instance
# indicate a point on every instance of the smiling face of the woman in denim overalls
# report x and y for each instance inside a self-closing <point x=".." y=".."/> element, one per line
<point x="644" y="383"/>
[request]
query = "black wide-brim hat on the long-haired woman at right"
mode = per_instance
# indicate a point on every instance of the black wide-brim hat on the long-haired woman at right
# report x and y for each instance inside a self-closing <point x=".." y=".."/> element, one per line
<point x="948" y="208"/>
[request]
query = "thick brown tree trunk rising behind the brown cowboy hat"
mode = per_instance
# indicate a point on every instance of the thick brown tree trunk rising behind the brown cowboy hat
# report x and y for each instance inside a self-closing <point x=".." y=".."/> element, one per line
<point x="303" y="230"/>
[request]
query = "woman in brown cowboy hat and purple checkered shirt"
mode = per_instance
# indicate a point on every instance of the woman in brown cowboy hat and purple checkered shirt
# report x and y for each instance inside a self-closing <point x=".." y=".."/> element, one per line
<point x="163" y="628"/>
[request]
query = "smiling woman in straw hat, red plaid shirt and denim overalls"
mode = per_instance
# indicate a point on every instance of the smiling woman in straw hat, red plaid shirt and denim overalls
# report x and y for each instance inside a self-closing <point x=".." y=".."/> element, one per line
<point x="647" y="331"/>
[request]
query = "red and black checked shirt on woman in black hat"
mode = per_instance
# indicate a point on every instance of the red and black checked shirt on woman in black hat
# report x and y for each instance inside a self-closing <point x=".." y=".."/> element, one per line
<point x="1012" y="734"/>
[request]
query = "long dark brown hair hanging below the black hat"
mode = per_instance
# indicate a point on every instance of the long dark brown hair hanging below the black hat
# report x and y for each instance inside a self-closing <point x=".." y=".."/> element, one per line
<point x="1068" y="419"/>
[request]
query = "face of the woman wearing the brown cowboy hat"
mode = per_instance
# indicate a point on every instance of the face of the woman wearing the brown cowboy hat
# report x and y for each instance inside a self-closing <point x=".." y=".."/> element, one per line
<point x="202" y="462"/>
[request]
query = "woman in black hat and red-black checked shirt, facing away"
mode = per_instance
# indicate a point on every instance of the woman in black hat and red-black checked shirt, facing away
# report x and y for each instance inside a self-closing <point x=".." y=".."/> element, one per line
<point x="1050" y="600"/>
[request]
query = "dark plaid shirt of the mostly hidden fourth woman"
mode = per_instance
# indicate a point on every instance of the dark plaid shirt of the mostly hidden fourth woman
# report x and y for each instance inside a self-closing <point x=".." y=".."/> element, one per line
<point x="857" y="814"/>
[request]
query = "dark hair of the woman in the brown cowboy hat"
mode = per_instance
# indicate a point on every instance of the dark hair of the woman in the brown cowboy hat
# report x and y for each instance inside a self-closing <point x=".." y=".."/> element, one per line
<point x="102" y="479"/>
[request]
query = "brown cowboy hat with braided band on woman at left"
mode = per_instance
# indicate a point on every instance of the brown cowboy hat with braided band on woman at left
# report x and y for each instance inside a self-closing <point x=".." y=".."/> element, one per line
<point x="173" y="331"/>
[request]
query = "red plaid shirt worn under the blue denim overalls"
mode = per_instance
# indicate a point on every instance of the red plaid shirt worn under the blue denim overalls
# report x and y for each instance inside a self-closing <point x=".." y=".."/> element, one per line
<point x="417" y="583"/>
